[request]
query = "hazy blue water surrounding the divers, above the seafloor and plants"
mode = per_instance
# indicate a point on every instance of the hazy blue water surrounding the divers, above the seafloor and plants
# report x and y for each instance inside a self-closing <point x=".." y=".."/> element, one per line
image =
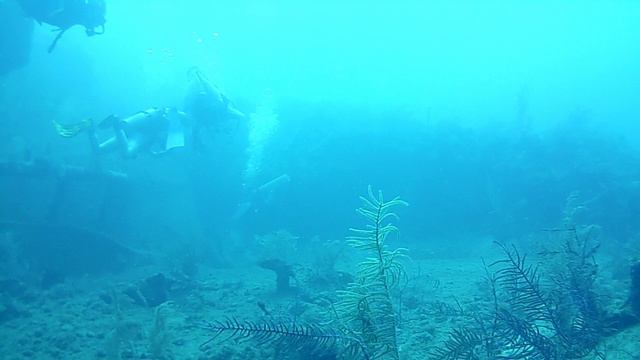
<point x="495" y="120"/>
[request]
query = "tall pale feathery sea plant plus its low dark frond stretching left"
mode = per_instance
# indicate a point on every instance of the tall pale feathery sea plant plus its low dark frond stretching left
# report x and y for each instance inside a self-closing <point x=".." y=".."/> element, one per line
<point x="365" y="321"/>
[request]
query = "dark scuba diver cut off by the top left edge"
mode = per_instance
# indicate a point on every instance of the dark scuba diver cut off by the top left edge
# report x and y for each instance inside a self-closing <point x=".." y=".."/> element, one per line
<point x="64" y="14"/>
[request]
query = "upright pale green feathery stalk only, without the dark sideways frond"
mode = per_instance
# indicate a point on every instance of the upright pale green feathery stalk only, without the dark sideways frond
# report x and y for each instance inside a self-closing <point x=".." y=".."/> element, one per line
<point x="365" y="309"/>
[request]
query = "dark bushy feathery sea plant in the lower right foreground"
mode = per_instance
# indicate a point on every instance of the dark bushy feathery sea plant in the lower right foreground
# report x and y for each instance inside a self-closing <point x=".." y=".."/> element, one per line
<point x="531" y="316"/>
